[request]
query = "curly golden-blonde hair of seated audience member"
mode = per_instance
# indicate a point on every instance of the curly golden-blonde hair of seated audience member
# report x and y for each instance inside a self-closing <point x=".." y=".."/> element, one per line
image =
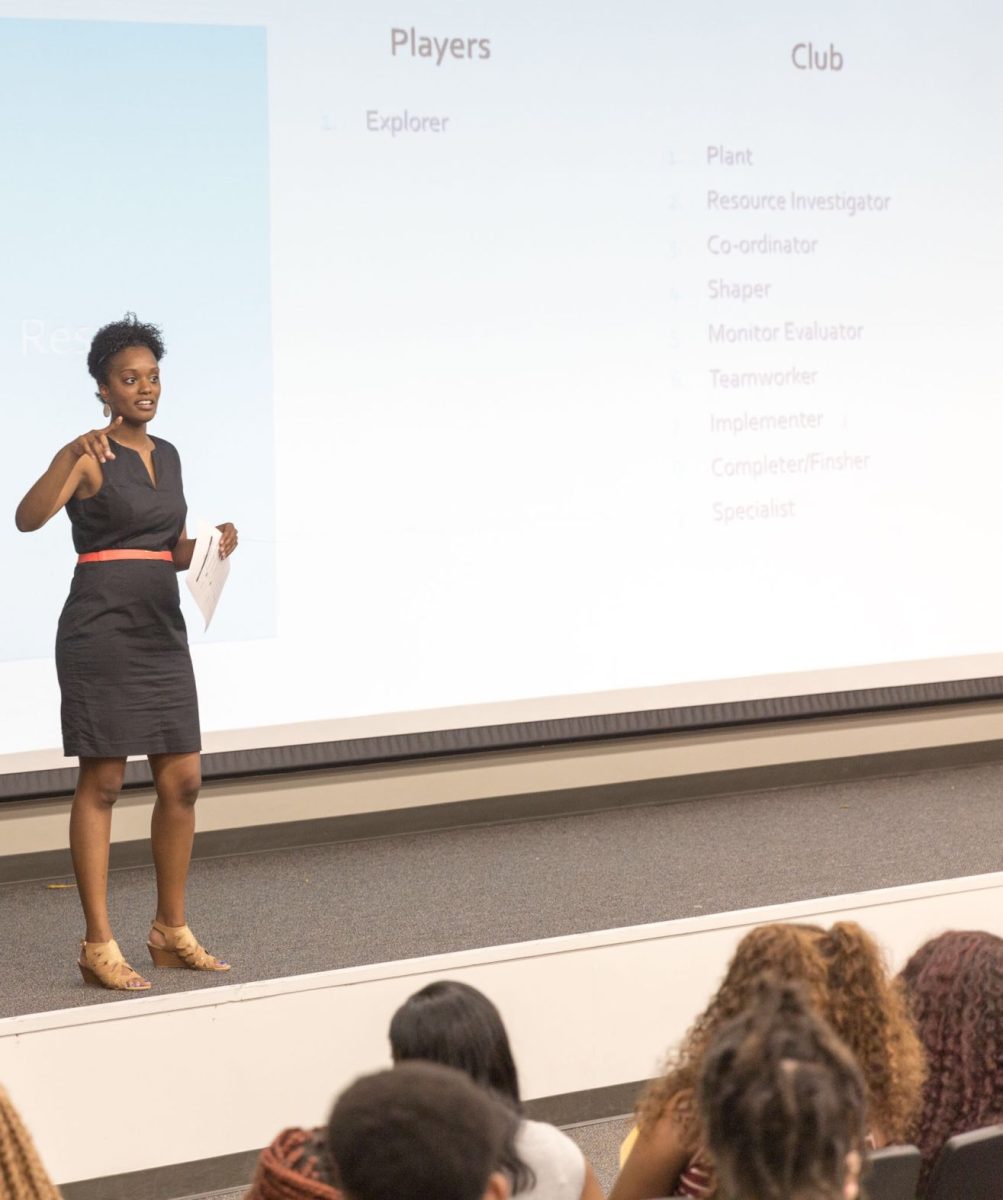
<point x="846" y="982"/>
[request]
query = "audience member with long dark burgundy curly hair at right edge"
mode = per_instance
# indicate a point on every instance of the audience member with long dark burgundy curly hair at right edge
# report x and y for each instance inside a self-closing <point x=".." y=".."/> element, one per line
<point x="954" y="986"/>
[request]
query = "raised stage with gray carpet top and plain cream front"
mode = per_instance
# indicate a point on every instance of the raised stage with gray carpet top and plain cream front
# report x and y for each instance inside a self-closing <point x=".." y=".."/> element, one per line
<point x="599" y="937"/>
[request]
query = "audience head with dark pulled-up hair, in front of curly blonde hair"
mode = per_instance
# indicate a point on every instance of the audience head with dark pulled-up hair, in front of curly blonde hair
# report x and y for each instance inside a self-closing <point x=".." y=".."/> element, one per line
<point x="783" y="1105"/>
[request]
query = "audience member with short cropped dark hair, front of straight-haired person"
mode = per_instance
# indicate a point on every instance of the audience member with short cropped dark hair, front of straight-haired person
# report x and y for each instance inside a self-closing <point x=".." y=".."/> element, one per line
<point x="421" y="1132"/>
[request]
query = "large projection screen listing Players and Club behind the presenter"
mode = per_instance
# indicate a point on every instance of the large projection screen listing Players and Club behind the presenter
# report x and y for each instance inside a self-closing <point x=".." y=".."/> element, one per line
<point x="552" y="361"/>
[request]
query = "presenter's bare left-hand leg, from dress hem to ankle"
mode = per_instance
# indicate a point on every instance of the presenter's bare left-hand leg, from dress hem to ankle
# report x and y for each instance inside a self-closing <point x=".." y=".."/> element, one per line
<point x="91" y="835"/>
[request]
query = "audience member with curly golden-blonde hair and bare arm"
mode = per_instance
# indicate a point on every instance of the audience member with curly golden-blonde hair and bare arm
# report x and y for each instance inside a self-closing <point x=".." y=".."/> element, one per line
<point x="845" y="981"/>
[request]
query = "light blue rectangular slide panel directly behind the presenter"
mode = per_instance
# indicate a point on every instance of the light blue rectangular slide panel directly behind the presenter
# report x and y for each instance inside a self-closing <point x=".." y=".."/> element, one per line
<point x="136" y="177"/>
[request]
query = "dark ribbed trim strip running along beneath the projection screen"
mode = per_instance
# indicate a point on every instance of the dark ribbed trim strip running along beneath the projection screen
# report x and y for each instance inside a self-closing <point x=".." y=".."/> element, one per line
<point x="531" y="735"/>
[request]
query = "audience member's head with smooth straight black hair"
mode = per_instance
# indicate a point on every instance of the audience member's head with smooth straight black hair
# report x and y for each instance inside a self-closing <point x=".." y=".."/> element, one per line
<point x="457" y="1025"/>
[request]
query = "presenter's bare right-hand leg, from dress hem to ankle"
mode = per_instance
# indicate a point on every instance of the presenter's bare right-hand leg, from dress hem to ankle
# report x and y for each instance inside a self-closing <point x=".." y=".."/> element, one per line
<point x="178" y="778"/>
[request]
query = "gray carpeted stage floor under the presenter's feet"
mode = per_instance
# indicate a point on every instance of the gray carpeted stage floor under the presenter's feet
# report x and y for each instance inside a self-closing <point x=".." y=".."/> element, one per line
<point x="299" y="911"/>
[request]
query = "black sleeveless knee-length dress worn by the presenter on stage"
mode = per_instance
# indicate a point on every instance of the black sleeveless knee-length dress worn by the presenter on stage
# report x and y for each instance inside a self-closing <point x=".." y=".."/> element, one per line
<point x="122" y="649"/>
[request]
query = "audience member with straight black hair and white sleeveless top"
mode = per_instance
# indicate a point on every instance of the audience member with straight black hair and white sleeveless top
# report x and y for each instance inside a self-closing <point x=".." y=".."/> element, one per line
<point x="457" y="1025"/>
